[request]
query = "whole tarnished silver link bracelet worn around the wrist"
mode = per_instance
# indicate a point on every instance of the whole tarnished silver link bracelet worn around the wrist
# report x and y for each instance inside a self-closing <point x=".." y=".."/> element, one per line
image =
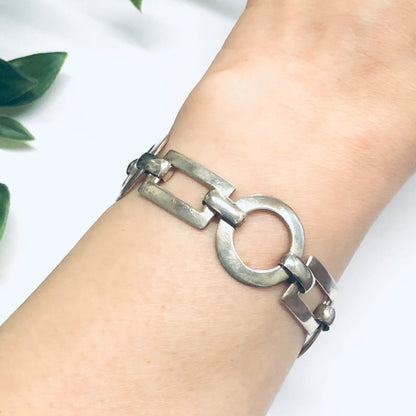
<point x="150" y="171"/>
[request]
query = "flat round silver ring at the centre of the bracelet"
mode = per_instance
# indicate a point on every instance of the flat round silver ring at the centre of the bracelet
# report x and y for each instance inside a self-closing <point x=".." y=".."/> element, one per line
<point x="228" y="254"/>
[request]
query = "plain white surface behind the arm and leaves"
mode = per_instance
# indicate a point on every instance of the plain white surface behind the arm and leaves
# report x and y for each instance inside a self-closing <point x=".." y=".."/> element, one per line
<point x="126" y="76"/>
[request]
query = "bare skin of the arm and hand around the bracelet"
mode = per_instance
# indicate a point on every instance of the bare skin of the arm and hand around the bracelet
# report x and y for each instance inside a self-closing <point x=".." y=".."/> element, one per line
<point x="313" y="106"/>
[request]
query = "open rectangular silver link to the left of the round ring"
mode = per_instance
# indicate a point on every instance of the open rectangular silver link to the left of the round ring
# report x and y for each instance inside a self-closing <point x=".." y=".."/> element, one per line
<point x="151" y="189"/>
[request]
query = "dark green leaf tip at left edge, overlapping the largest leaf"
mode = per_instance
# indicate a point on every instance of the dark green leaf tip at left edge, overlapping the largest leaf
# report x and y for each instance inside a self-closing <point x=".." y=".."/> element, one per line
<point x="13" y="83"/>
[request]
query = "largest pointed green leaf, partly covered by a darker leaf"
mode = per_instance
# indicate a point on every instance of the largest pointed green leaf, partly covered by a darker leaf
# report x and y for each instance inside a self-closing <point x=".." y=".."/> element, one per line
<point x="44" y="68"/>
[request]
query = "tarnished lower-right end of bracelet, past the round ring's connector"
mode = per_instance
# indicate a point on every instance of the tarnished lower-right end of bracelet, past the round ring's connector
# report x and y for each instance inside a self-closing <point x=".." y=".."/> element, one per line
<point x="323" y="316"/>
